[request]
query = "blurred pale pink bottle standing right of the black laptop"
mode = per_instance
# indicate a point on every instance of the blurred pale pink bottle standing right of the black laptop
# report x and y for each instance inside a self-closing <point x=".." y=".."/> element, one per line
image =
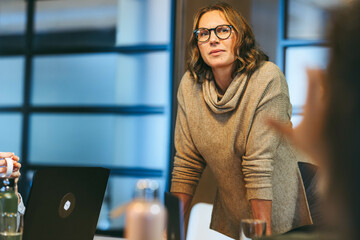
<point x="146" y="215"/>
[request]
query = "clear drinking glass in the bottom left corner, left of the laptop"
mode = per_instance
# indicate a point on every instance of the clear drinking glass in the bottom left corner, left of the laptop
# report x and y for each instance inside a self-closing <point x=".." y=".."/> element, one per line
<point x="11" y="226"/>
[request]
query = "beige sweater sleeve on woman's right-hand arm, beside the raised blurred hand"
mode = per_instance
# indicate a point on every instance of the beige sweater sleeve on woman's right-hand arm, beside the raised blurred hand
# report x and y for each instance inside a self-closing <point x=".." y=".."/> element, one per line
<point x="263" y="141"/>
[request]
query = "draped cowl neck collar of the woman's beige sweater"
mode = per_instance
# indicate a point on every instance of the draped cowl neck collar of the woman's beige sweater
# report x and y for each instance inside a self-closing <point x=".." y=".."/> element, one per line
<point x="227" y="102"/>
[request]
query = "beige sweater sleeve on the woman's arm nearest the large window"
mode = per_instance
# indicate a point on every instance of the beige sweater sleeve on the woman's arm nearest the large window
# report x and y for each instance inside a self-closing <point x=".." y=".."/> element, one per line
<point x="188" y="163"/>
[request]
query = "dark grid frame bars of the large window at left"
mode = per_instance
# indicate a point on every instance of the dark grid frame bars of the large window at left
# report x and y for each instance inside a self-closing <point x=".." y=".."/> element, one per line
<point x="29" y="52"/>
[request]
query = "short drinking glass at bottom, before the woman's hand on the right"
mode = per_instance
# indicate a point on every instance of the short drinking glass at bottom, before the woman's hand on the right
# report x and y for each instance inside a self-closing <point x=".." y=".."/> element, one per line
<point x="250" y="228"/>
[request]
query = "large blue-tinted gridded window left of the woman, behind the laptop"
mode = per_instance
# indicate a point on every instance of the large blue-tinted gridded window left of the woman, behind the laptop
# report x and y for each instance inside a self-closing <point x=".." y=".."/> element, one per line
<point x="88" y="83"/>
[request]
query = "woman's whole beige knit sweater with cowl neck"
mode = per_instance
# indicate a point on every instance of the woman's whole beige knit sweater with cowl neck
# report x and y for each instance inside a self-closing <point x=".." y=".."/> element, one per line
<point x="248" y="159"/>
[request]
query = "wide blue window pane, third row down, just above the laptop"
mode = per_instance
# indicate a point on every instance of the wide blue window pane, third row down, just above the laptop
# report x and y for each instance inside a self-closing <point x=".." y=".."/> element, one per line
<point x="99" y="140"/>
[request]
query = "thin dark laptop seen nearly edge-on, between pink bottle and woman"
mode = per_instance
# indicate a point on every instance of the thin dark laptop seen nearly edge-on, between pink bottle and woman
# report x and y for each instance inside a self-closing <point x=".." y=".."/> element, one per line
<point x="175" y="224"/>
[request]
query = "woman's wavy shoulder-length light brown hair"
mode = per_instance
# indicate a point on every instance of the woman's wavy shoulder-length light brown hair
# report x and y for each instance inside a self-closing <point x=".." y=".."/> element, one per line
<point x="248" y="55"/>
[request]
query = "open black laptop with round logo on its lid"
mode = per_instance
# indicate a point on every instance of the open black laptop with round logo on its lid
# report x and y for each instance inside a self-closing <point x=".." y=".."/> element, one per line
<point x="64" y="203"/>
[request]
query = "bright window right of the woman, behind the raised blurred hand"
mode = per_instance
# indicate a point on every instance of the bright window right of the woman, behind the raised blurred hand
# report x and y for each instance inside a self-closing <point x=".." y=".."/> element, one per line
<point x="302" y="30"/>
